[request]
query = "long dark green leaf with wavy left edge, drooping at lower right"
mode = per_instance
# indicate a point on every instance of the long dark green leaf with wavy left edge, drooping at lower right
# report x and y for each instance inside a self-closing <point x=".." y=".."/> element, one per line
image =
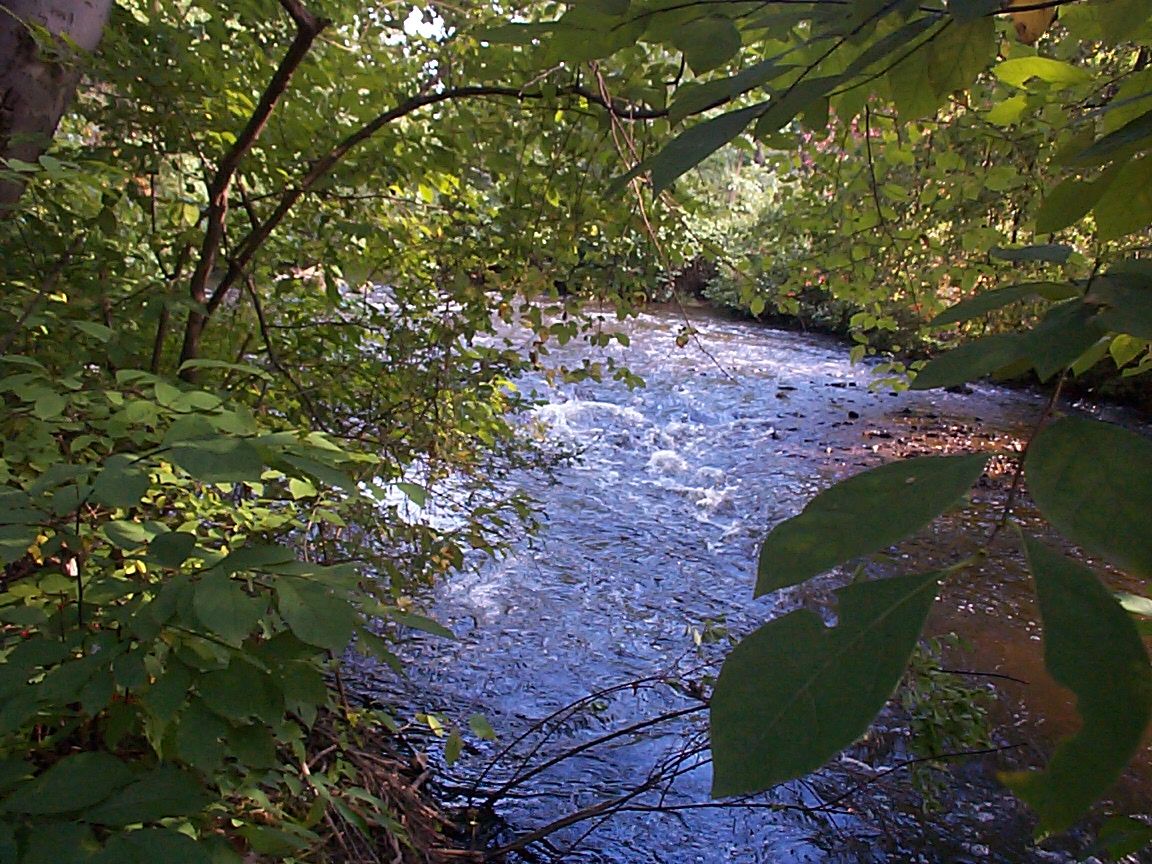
<point x="1090" y="647"/>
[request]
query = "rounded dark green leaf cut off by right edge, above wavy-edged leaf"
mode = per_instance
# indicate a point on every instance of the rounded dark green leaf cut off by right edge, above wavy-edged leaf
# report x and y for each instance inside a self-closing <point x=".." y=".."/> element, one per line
<point x="1094" y="482"/>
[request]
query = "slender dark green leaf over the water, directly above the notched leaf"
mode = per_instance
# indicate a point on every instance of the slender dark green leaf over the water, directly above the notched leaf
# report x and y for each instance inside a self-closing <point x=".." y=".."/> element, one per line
<point x="865" y="514"/>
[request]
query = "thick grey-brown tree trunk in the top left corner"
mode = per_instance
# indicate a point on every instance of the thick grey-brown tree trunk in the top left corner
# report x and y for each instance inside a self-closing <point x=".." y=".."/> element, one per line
<point x="40" y="70"/>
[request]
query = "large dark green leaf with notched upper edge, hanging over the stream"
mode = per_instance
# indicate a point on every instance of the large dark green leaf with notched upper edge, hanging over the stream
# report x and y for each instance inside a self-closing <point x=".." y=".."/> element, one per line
<point x="795" y="693"/>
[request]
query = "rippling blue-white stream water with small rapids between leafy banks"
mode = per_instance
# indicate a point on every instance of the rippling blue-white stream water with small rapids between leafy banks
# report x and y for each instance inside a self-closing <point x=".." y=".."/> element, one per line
<point x="647" y="563"/>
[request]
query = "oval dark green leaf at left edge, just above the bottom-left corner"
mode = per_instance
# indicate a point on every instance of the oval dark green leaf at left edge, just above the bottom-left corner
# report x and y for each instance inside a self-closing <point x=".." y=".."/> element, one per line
<point x="73" y="784"/>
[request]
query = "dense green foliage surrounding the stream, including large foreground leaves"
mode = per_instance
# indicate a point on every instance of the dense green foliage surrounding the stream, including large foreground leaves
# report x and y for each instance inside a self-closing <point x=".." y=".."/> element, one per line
<point x="275" y="279"/>
